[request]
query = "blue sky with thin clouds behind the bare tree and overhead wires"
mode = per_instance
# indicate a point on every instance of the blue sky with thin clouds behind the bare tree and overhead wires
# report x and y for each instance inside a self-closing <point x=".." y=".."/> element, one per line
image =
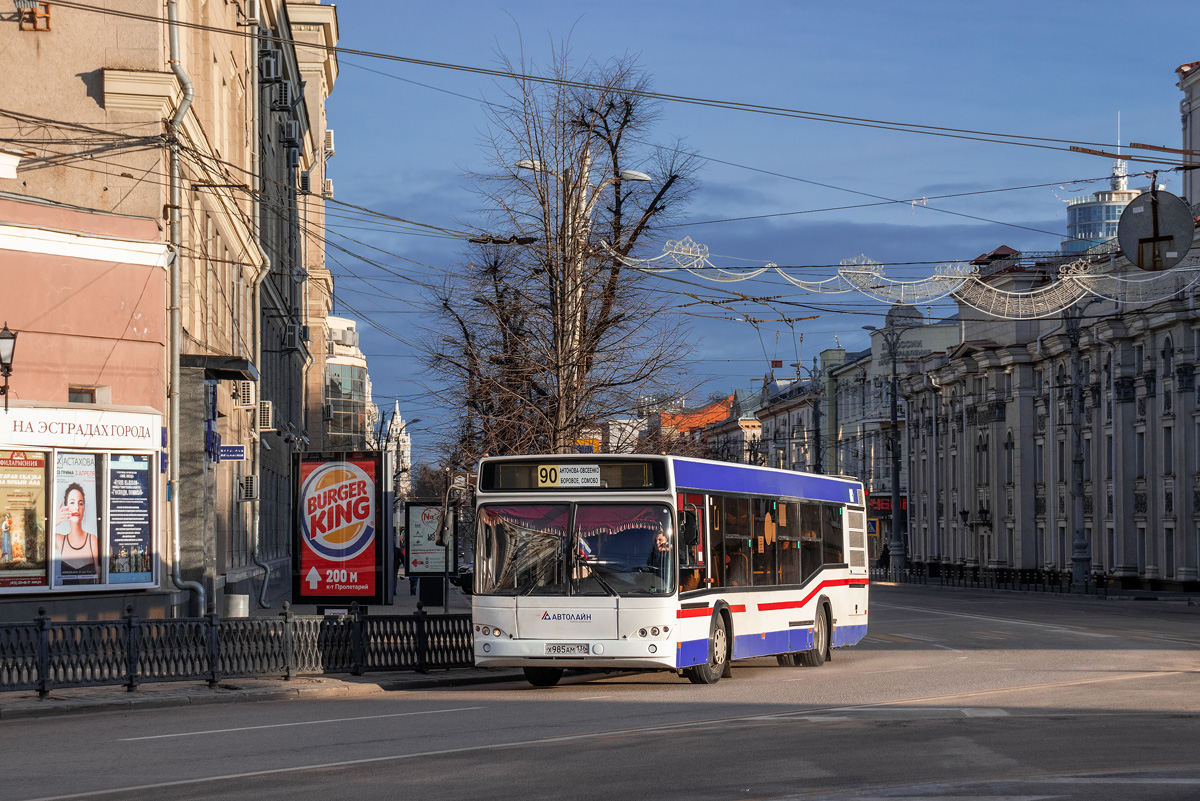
<point x="1063" y="70"/>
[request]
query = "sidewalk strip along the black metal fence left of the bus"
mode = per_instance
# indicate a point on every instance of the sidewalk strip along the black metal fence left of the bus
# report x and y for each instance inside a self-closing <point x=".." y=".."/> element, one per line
<point x="116" y="698"/>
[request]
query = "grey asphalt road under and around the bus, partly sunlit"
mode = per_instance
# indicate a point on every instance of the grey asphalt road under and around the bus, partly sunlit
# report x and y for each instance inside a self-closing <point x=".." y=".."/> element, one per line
<point x="953" y="695"/>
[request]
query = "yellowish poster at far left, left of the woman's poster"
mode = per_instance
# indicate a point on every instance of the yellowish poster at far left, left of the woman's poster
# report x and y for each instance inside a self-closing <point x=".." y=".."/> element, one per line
<point x="23" y="484"/>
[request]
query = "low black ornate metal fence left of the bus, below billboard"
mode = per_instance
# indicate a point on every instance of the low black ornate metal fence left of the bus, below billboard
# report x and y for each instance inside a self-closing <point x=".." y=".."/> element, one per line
<point x="43" y="655"/>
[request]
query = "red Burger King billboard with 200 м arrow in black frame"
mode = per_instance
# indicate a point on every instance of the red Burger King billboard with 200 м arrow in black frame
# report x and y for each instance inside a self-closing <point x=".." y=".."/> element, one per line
<point x="340" y="555"/>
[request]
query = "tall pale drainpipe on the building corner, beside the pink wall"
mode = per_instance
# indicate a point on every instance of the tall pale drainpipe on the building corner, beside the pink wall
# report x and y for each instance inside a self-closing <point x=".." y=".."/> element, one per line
<point x="177" y="323"/>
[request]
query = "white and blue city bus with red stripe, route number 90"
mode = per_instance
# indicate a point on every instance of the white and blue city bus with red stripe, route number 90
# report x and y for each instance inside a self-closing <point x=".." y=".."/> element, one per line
<point x="663" y="563"/>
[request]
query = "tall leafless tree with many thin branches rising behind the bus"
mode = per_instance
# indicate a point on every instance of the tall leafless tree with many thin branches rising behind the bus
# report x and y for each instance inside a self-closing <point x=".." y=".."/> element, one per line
<point x="550" y="335"/>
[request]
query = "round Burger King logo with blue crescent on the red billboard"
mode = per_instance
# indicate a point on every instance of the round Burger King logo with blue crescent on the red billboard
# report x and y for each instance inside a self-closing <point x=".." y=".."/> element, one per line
<point x="338" y="511"/>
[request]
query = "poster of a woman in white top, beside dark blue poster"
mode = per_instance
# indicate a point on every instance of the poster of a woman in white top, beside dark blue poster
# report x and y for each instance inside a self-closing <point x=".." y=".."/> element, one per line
<point x="76" y="545"/>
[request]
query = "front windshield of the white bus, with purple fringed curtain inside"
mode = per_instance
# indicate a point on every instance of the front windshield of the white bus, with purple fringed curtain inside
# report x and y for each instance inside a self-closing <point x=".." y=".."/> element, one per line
<point x="609" y="550"/>
